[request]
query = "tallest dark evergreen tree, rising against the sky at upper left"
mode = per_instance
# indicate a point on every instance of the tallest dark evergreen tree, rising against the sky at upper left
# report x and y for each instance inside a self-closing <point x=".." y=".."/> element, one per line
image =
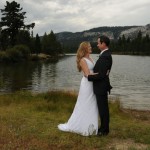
<point x="12" y="21"/>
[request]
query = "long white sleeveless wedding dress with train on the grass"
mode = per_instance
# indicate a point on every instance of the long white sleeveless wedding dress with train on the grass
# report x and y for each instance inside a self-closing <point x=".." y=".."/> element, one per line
<point x="84" y="119"/>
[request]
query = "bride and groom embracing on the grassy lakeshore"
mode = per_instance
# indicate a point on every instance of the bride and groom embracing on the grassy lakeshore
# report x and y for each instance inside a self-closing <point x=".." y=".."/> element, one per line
<point x="92" y="101"/>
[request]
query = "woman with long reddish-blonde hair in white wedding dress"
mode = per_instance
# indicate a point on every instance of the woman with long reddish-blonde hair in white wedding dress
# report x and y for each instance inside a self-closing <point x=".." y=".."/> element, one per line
<point x="84" y="119"/>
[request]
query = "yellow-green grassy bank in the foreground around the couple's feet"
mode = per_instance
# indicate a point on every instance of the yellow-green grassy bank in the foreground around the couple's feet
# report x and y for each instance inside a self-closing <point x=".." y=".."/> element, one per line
<point x="29" y="122"/>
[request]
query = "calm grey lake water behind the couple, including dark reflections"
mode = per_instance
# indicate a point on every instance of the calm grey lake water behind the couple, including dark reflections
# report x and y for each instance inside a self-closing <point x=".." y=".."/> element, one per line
<point x="130" y="78"/>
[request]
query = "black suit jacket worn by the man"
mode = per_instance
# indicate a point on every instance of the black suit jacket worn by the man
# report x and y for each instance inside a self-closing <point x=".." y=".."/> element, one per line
<point x="101" y="83"/>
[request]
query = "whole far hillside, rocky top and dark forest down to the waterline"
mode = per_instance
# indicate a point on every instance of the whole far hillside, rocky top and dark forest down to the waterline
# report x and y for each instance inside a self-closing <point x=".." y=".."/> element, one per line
<point x="124" y="39"/>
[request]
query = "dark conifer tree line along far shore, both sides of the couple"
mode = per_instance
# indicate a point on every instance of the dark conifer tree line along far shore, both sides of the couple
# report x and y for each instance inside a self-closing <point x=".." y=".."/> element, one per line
<point x="140" y="45"/>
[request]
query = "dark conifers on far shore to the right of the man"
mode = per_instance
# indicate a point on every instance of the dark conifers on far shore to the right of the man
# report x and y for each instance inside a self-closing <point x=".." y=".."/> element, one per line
<point x="137" y="46"/>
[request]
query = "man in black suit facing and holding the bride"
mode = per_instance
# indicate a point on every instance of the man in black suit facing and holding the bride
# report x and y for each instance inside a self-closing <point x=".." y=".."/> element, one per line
<point x="101" y="83"/>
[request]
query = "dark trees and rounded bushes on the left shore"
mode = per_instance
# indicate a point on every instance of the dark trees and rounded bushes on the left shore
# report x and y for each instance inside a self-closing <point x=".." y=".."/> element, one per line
<point x="16" y="37"/>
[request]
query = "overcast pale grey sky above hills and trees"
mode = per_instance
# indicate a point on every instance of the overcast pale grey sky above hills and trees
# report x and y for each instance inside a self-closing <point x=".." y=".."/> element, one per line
<point x="80" y="15"/>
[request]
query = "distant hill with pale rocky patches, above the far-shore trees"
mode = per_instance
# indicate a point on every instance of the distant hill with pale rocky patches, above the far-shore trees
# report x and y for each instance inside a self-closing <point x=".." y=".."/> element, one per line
<point x="70" y="39"/>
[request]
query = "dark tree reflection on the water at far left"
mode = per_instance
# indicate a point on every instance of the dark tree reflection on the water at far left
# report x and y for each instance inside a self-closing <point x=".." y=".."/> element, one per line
<point x="16" y="76"/>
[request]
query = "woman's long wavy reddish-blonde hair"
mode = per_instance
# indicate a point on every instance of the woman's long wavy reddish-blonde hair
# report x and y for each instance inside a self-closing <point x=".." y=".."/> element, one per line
<point x="81" y="52"/>
